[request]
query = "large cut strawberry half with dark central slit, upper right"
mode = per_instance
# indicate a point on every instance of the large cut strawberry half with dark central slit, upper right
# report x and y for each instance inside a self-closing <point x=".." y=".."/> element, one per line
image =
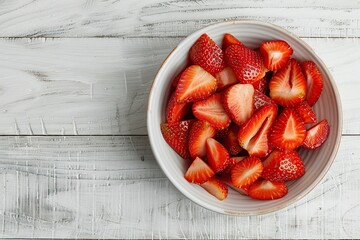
<point x="288" y="85"/>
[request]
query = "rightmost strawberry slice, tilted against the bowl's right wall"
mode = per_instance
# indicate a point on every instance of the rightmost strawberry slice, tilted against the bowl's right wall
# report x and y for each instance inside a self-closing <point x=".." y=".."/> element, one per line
<point x="316" y="135"/>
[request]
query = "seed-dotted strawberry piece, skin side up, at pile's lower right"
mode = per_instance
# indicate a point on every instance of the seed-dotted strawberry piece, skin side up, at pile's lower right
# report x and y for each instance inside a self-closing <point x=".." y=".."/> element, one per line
<point x="283" y="166"/>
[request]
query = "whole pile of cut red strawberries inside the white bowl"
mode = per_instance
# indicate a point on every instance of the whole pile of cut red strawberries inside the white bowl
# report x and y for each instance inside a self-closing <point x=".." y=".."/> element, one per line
<point x="239" y="116"/>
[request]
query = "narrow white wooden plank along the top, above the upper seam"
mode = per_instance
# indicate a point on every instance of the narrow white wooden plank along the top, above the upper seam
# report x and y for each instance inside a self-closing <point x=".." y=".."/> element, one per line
<point x="160" y="18"/>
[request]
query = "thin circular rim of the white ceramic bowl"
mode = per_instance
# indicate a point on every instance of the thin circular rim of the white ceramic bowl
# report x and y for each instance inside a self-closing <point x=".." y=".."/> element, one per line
<point x="338" y="130"/>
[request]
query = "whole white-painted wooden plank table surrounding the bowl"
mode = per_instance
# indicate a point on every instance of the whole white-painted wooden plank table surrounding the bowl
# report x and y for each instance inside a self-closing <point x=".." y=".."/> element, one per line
<point x="75" y="159"/>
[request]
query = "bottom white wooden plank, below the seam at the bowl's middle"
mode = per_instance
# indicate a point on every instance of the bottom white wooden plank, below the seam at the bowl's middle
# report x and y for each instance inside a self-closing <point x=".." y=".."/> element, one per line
<point x="111" y="187"/>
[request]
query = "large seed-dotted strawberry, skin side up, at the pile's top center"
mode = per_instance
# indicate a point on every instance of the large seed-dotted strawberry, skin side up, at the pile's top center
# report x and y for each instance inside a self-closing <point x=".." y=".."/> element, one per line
<point x="245" y="62"/>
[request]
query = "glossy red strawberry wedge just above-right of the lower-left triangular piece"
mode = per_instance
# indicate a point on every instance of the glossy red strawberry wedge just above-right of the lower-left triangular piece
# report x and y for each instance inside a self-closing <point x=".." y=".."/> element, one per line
<point x="218" y="156"/>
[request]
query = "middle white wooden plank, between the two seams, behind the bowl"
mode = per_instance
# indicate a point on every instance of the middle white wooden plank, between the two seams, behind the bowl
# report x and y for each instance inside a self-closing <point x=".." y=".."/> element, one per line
<point x="100" y="86"/>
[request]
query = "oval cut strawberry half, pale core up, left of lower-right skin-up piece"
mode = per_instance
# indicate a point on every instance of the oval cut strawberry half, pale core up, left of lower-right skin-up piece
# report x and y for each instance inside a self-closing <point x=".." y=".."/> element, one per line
<point x="246" y="171"/>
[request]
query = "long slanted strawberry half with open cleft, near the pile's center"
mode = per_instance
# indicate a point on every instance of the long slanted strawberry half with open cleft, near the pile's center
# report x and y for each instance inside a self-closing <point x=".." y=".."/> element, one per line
<point x="253" y="134"/>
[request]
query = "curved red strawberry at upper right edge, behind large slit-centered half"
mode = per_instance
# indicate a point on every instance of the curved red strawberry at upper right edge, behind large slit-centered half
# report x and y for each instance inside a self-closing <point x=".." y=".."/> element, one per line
<point x="314" y="81"/>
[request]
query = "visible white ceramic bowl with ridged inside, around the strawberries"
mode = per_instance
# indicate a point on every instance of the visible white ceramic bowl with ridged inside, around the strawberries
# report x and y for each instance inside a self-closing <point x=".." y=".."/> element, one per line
<point x="317" y="162"/>
